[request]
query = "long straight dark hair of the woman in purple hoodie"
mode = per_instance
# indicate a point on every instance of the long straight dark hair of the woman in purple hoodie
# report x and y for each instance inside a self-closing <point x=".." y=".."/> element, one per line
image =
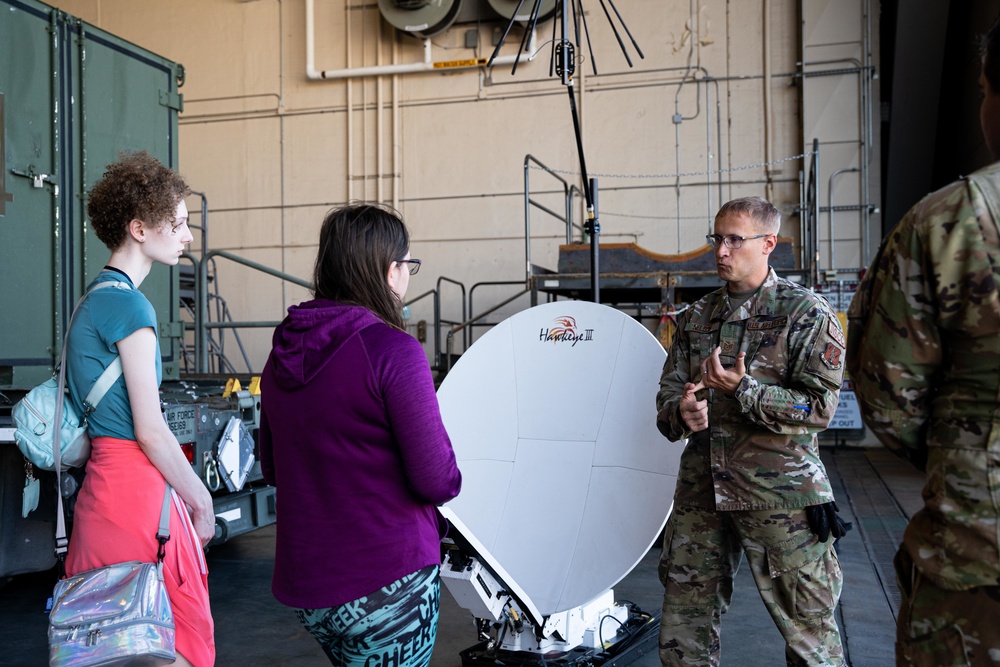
<point x="357" y="245"/>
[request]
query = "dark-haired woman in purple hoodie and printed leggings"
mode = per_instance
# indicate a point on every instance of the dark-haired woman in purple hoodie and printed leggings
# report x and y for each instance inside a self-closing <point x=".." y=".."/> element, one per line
<point x="351" y="436"/>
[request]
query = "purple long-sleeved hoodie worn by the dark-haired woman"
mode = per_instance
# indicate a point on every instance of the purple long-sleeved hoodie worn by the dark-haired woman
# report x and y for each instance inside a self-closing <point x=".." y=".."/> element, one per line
<point x="351" y="436"/>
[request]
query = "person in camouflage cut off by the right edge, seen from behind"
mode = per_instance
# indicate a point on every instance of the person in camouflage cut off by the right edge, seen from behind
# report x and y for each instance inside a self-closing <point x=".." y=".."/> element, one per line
<point x="924" y="357"/>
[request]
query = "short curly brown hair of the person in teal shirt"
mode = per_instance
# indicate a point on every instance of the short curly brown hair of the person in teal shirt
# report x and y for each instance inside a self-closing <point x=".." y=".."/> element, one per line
<point x="137" y="186"/>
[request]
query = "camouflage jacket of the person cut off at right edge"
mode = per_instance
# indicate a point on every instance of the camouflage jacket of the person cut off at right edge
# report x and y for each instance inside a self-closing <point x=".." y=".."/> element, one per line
<point x="924" y="358"/>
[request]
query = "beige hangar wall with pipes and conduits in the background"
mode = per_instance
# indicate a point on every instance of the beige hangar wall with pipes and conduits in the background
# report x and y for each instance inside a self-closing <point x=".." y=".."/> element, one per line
<point x="273" y="151"/>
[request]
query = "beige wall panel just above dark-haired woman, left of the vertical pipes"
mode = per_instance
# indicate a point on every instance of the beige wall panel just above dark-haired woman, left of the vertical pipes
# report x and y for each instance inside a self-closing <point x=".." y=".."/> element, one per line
<point x="315" y="159"/>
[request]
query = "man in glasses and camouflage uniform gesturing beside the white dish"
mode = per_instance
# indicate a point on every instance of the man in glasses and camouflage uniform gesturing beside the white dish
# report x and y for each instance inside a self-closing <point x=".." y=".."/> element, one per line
<point x="752" y="375"/>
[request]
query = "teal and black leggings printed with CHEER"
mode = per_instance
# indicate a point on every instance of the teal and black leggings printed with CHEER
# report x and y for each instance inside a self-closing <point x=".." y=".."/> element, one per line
<point x="393" y="627"/>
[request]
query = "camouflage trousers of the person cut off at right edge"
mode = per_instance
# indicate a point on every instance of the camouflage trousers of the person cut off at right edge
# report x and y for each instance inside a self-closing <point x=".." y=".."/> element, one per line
<point x="942" y="628"/>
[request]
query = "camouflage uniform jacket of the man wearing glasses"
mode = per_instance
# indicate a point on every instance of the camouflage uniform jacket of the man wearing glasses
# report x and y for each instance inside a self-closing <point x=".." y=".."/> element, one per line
<point x="760" y="449"/>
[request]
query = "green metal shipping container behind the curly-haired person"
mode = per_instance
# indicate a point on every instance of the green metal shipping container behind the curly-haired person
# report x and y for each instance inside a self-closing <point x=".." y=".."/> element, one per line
<point x="71" y="97"/>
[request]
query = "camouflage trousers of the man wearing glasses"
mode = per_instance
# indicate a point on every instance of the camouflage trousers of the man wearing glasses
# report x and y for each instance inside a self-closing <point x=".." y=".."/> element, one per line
<point x="799" y="580"/>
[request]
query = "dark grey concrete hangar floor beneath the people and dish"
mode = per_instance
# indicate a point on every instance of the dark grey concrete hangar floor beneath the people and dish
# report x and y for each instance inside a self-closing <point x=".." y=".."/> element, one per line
<point x="874" y="491"/>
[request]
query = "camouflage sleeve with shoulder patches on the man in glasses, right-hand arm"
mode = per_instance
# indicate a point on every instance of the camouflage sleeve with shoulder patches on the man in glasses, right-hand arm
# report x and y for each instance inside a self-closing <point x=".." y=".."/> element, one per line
<point x="816" y="369"/>
